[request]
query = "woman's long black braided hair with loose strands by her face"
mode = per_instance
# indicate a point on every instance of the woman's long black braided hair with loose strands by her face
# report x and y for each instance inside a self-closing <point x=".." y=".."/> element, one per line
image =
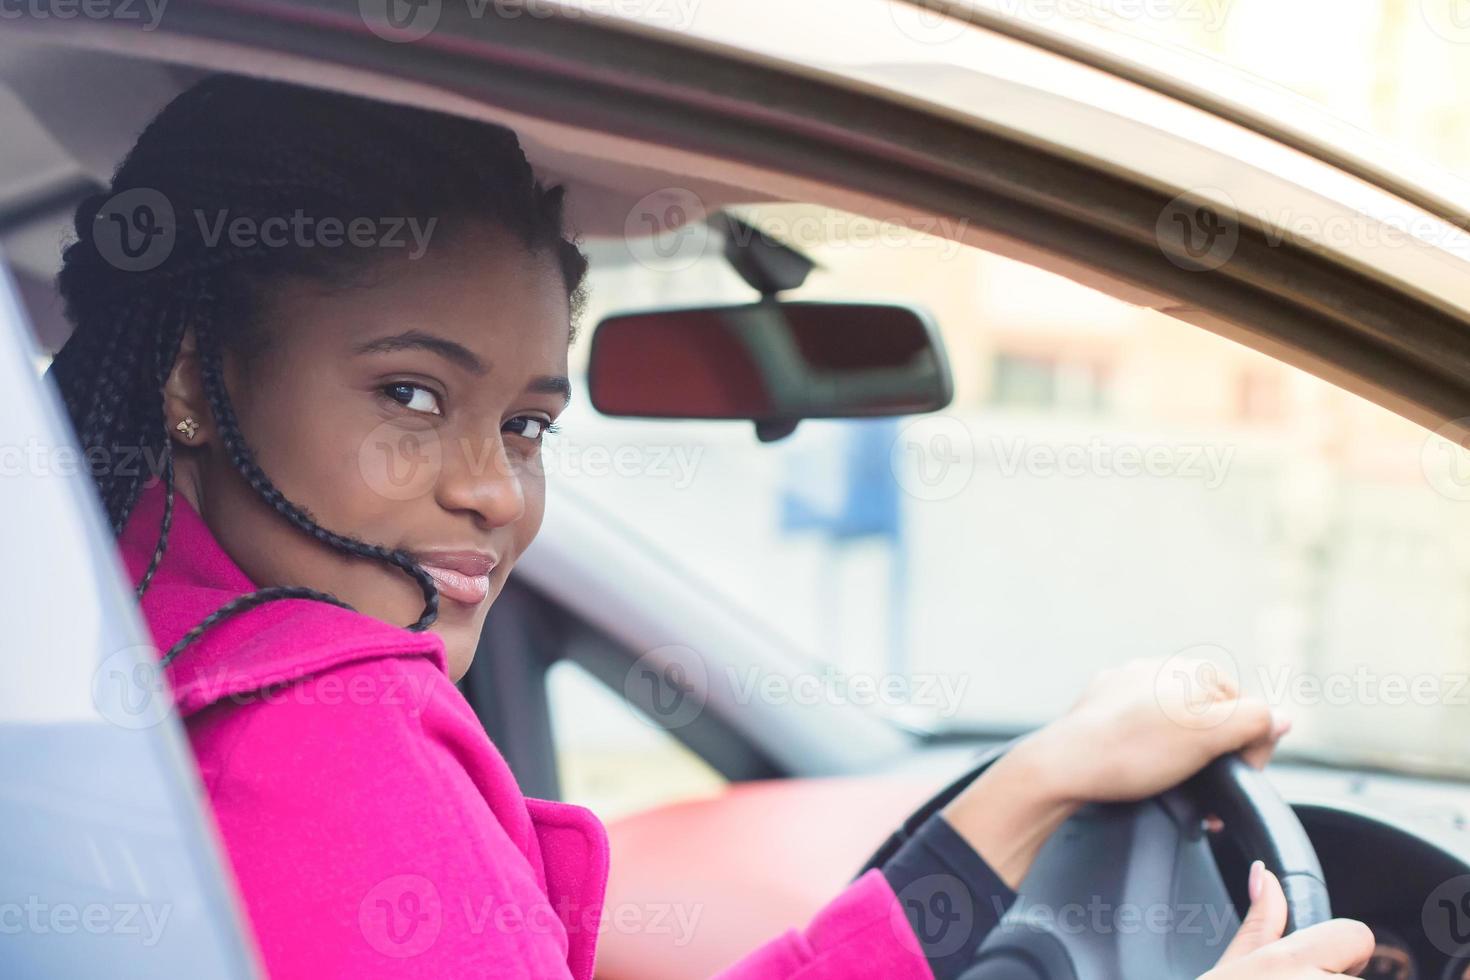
<point x="258" y="151"/>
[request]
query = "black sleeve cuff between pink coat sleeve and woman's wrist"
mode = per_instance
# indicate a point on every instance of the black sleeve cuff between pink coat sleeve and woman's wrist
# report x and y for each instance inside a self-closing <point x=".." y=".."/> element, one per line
<point x="952" y="897"/>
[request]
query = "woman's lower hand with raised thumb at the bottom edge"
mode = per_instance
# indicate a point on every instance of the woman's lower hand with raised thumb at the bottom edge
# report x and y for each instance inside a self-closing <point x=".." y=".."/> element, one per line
<point x="1259" y="953"/>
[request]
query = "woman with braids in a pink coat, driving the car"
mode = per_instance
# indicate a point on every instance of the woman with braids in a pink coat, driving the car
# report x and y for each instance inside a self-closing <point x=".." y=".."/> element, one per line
<point x="349" y="436"/>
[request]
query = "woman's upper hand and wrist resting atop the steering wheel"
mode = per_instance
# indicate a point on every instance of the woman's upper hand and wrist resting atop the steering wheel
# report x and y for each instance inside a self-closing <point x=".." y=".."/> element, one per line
<point x="1137" y="731"/>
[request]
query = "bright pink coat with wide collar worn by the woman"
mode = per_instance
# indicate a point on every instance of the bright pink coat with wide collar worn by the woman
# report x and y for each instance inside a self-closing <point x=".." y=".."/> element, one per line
<point x="373" y="826"/>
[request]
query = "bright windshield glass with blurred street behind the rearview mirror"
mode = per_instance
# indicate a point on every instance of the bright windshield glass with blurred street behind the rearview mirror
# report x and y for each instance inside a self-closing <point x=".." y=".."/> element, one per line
<point x="1109" y="484"/>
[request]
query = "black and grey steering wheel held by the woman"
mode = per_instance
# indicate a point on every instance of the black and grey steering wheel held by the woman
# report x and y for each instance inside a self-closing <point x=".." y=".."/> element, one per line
<point x="1128" y="891"/>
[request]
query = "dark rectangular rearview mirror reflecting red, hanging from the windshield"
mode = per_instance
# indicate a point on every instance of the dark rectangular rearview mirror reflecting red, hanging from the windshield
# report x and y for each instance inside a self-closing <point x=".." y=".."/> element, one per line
<point x="770" y="362"/>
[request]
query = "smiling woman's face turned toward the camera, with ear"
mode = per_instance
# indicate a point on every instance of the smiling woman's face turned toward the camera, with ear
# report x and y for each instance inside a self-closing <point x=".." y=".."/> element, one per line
<point x="405" y="411"/>
